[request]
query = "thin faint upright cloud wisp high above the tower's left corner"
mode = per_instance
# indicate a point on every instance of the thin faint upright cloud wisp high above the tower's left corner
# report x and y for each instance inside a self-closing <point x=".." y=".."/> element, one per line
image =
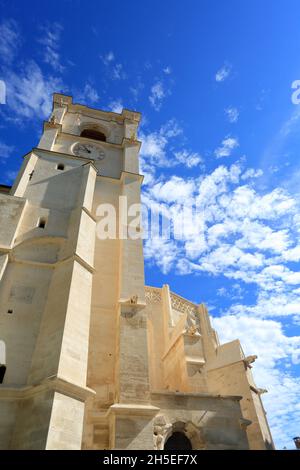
<point x="50" y="38"/>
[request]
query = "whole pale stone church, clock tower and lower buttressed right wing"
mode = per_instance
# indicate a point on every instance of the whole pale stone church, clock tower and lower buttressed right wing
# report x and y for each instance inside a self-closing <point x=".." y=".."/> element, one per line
<point x="90" y="357"/>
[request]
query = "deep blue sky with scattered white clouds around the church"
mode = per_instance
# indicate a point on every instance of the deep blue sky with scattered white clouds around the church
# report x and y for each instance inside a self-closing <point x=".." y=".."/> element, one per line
<point x="213" y="82"/>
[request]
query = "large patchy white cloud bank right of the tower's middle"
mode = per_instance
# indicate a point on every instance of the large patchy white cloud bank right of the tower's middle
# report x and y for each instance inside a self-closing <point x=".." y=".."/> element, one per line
<point x="244" y="235"/>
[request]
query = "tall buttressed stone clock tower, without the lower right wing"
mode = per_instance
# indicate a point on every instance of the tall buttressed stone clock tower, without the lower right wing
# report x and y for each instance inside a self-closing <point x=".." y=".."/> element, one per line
<point x="61" y="287"/>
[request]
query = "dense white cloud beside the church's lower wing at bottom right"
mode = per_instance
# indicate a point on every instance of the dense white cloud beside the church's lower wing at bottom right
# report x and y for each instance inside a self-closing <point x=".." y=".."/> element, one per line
<point x="267" y="339"/>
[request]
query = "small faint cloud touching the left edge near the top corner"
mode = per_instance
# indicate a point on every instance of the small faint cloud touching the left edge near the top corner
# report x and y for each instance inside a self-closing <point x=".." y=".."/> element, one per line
<point x="10" y="40"/>
